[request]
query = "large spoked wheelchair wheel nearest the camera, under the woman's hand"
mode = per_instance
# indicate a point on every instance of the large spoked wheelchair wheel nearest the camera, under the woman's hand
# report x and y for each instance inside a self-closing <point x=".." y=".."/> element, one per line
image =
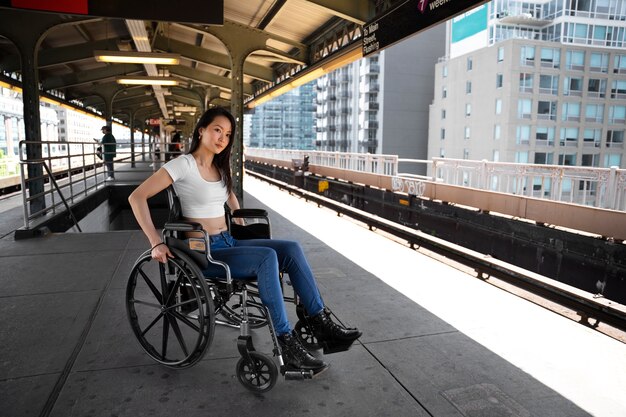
<point x="170" y="309"/>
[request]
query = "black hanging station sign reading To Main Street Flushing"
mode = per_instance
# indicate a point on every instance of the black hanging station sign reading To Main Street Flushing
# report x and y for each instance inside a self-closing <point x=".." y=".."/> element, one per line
<point x="409" y="18"/>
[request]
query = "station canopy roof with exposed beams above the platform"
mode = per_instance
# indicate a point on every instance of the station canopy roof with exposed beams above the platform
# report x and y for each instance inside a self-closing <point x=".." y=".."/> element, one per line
<point x="281" y="40"/>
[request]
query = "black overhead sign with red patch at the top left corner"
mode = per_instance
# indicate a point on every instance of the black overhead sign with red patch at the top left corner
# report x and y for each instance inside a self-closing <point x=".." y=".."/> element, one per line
<point x="209" y="12"/>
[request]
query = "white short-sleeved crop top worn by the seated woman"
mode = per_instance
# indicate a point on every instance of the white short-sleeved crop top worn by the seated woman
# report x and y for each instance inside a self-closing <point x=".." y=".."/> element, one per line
<point x="199" y="198"/>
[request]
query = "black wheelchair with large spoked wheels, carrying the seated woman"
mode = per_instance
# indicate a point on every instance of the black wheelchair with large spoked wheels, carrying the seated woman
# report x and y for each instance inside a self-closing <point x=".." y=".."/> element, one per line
<point x="173" y="308"/>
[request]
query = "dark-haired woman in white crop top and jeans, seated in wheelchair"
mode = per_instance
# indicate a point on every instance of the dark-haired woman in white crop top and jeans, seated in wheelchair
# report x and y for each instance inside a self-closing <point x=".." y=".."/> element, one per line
<point x="202" y="179"/>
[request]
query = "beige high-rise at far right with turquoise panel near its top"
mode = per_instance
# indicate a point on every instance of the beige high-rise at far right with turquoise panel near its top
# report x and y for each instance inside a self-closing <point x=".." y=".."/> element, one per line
<point x="533" y="82"/>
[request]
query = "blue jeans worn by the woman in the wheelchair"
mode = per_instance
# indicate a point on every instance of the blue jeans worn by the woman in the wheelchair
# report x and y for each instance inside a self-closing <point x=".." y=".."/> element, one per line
<point x="262" y="259"/>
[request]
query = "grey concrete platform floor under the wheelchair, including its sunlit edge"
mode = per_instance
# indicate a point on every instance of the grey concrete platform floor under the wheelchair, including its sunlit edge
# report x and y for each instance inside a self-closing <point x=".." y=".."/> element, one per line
<point x="437" y="341"/>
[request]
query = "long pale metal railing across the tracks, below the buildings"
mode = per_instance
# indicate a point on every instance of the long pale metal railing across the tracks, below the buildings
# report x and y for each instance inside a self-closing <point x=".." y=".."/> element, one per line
<point x="589" y="186"/>
